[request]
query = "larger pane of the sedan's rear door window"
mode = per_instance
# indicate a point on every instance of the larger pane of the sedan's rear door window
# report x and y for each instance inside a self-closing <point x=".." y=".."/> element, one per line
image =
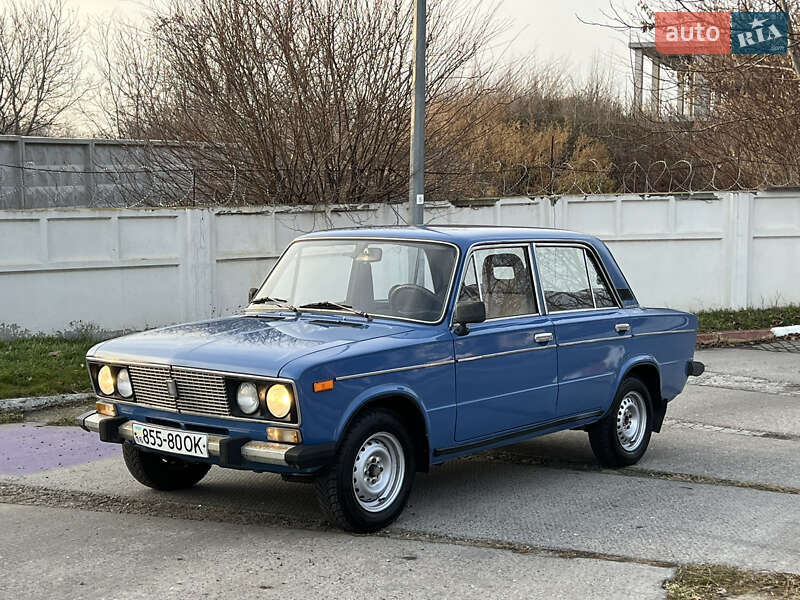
<point x="565" y="282"/>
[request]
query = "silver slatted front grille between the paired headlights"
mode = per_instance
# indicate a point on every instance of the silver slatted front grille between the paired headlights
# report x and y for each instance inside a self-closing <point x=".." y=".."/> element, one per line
<point x="198" y="392"/>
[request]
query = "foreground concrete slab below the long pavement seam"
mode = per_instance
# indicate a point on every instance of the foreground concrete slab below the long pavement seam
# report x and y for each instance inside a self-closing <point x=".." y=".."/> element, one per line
<point x="203" y="558"/>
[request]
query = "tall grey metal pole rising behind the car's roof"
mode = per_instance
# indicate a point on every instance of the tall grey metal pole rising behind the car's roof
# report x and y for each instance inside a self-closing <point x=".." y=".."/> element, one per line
<point x="417" y="179"/>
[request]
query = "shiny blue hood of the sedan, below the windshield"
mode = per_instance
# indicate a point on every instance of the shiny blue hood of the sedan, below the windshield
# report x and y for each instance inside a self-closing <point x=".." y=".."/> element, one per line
<point x="242" y="344"/>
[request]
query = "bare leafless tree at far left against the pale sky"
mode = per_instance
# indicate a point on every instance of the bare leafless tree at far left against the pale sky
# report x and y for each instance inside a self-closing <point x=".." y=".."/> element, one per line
<point x="40" y="65"/>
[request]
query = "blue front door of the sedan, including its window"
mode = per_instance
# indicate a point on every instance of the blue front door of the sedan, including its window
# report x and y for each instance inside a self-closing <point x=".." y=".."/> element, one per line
<point x="506" y="366"/>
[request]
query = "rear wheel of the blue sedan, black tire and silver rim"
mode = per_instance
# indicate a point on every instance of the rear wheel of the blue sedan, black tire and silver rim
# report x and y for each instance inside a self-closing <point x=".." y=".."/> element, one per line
<point x="614" y="448"/>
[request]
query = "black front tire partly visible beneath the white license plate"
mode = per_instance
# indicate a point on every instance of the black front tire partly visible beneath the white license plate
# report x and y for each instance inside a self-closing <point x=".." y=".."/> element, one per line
<point x="162" y="472"/>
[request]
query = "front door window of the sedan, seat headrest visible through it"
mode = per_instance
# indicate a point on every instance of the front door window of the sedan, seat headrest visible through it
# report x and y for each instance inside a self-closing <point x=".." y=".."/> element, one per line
<point x="501" y="278"/>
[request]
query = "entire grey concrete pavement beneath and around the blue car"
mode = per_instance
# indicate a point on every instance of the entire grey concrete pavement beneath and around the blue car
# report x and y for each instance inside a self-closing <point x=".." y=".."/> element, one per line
<point x="720" y="485"/>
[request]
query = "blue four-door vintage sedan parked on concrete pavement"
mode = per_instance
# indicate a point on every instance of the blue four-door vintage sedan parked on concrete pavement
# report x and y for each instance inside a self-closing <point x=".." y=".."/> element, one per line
<point x="370" y="354"/>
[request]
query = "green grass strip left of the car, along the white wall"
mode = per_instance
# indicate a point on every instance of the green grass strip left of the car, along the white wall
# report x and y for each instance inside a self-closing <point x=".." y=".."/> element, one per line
<point x="43" y="366"/>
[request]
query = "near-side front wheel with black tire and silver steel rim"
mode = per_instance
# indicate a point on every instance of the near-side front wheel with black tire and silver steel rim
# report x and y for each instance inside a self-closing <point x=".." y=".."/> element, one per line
<point x="368" y="484"/>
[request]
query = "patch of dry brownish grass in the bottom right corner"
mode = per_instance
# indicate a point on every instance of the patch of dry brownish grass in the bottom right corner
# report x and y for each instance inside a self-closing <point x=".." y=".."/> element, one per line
<point x="712" y="582"/>
